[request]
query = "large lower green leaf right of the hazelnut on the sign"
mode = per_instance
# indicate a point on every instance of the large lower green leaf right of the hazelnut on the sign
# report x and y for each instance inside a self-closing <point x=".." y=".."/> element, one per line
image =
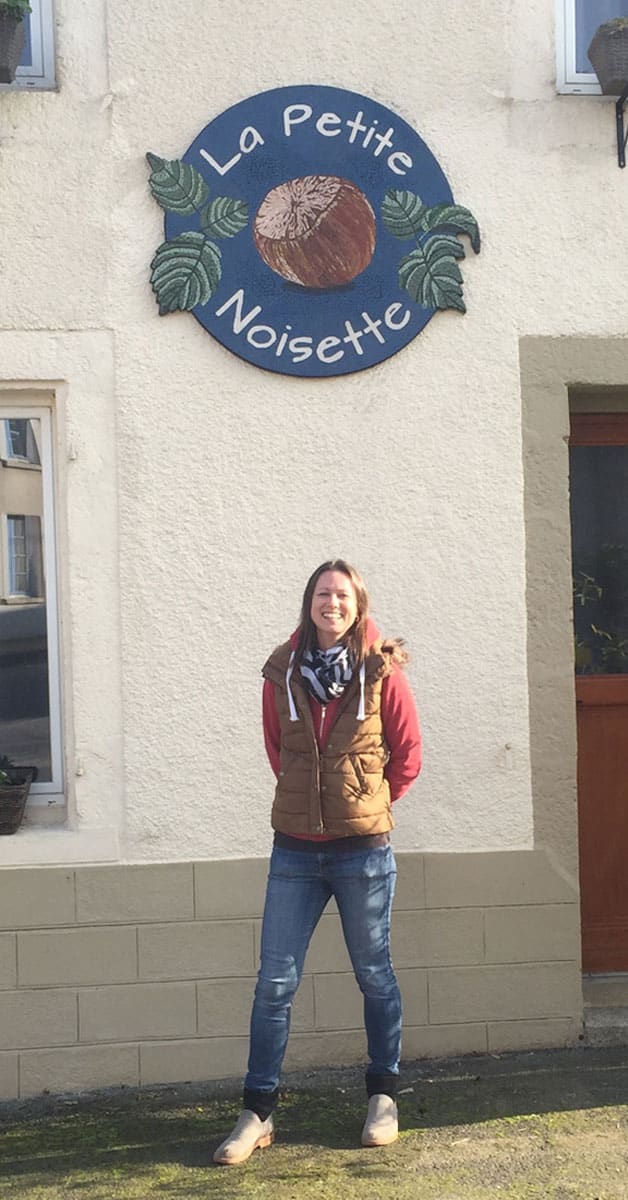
<point x="432" y="277"/>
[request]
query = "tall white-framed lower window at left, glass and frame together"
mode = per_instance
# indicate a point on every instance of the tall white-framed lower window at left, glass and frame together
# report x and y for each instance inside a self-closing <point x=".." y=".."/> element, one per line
<point x="31" y="717"/>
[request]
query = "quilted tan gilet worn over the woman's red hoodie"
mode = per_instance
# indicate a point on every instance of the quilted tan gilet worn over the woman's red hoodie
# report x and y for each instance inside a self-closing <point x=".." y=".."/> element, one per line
<point x="339" y="791"/>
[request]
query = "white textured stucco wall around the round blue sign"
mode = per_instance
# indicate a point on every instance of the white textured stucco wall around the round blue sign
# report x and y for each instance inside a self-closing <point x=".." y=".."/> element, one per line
<point x="224" y="507"/>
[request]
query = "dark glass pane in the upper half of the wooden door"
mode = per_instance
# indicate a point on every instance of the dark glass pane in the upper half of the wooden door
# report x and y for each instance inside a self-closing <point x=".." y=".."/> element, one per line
<point x="600" y="536"/>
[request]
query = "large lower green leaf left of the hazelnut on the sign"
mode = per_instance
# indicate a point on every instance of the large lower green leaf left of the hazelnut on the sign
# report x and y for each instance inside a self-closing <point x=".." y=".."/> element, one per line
<point x="186" y="272"/>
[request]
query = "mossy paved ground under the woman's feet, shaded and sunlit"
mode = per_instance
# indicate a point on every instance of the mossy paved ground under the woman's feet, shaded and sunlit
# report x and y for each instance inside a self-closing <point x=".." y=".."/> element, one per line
<point x="549" y="1126"/>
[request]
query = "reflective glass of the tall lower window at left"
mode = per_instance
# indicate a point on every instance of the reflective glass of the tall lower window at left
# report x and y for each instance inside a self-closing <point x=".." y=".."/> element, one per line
<point x="25" y="691"/>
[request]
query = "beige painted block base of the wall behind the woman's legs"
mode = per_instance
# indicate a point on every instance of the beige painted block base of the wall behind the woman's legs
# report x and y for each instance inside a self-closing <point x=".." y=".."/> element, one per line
<point x="124" y="976"/>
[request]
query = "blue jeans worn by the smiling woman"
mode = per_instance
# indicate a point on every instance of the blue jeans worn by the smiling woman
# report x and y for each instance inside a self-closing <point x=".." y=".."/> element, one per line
<point x="300" y="886"/>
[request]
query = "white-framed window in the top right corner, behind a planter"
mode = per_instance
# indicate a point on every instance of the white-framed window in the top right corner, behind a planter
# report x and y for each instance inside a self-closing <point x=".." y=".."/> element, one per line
<point x="577" y="21"/>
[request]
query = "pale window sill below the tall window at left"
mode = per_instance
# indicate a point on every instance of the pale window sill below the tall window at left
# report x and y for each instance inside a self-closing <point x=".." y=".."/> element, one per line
<point x="59" y="848"/>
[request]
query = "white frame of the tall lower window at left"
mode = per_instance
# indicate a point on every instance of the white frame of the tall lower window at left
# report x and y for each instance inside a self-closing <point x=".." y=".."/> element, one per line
<point x="51" y="791"/>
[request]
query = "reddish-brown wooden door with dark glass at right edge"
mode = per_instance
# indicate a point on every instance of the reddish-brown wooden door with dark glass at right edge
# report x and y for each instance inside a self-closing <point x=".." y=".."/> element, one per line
<point x="600" y="536"/>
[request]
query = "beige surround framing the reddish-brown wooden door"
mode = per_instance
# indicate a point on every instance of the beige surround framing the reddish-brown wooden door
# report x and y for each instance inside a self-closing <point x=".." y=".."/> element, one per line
<point x="558" y="374"/>
